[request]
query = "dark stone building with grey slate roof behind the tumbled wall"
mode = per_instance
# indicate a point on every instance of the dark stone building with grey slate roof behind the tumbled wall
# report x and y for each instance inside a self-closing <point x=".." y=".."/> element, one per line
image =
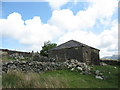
<point x="75" y="50"/>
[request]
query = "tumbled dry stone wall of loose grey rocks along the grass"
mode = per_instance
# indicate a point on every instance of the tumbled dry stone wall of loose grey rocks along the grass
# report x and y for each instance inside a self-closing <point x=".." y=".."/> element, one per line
<point x="39" y="67"/>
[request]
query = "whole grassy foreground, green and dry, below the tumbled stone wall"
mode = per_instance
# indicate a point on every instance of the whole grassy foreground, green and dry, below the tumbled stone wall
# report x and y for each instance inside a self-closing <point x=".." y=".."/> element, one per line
<point x="61" y="79"/>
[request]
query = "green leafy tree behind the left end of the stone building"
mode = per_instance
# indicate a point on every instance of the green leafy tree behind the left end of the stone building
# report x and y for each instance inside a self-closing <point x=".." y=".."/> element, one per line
<point x="47" y="46"/>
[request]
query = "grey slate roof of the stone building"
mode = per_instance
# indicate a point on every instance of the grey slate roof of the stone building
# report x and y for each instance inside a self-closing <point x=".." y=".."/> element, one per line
<point x="69" y="44"/>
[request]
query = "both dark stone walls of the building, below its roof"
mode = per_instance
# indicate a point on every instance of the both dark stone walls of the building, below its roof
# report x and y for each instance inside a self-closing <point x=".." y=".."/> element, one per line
<point x="82" y="53"/>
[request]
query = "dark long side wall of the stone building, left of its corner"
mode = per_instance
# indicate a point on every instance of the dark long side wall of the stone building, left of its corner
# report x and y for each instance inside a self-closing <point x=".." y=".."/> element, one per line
<point x="67" y="53"/>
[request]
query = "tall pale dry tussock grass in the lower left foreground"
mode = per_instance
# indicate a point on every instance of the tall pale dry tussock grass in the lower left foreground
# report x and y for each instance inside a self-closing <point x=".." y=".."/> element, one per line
<point x="17" y="79"/>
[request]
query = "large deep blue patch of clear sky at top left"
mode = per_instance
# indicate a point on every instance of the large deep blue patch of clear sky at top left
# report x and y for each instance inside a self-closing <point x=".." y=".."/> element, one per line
<point x="27" y="9"/>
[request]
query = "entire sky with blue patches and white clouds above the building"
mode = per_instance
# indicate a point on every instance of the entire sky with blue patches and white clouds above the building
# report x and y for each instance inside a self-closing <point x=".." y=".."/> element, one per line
<point x="25" y="26"/>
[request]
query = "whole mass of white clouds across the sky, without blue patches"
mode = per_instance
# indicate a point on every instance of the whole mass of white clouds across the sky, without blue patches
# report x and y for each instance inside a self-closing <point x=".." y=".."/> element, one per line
<point x="64" y="25"/>
